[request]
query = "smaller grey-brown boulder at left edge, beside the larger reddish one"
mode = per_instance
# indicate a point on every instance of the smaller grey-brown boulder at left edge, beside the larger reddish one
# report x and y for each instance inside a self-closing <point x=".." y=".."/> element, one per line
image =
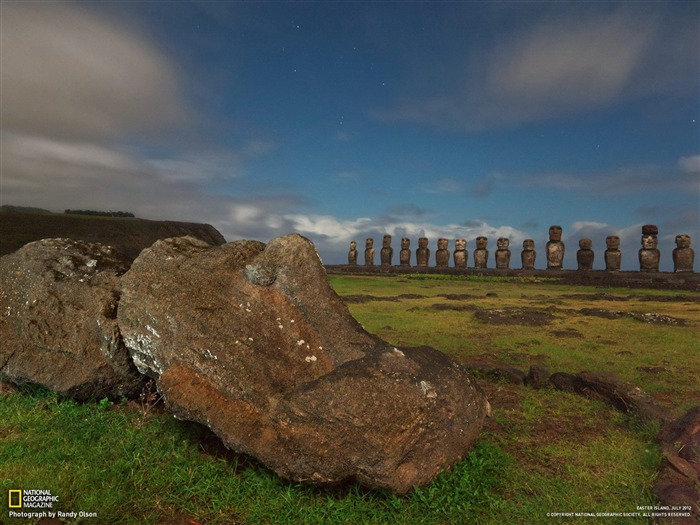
<point x="58" y="299"/>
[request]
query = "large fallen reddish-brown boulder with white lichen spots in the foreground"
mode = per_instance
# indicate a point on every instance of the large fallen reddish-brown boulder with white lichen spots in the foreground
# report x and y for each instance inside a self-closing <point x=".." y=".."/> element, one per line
<point x="251" y="340"/>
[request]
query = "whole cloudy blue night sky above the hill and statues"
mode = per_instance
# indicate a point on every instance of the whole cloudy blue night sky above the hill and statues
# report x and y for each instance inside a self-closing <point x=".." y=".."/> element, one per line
<point x="347" y="120"/>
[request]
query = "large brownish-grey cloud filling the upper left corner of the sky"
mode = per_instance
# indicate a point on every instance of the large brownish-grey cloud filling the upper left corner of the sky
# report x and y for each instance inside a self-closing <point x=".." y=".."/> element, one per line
<point x="69" y="73"/>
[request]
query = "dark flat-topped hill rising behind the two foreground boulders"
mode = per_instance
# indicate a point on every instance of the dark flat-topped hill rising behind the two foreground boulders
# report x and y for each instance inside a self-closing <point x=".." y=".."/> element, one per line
<point x="128" y="235"/>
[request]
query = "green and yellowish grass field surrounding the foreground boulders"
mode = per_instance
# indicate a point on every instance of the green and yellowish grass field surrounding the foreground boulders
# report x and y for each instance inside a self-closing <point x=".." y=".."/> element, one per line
<point x="542" y="451"/>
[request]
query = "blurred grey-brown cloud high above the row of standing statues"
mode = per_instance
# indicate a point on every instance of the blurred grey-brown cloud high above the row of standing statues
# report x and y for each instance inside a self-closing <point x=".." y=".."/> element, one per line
<point x="559" y="64"/>
